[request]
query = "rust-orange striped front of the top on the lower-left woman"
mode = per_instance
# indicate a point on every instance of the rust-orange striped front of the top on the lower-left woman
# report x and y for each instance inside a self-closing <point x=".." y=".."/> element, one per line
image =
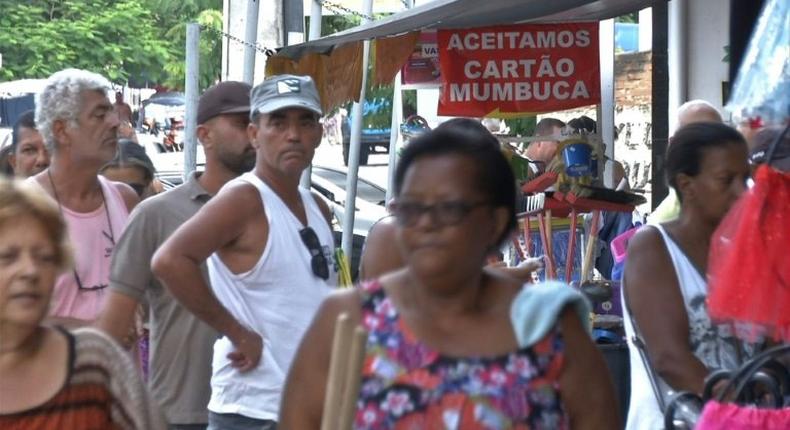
<point x="79" y="406"/>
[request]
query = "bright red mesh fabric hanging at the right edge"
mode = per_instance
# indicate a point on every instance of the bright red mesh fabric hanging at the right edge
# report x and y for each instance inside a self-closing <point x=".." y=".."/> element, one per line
<point x="749" y="261"/>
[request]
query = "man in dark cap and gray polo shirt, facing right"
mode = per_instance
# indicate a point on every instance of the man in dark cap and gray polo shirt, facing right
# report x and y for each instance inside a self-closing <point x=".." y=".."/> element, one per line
<point x="181" y="345"/>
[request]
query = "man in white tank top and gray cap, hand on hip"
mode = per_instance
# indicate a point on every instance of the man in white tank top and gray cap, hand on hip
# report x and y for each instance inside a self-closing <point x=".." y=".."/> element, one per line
<point x="268" y="246"/>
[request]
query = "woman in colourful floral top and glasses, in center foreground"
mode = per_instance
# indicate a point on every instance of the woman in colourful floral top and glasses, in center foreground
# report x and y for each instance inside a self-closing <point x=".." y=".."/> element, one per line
<point x="442" y="350"/>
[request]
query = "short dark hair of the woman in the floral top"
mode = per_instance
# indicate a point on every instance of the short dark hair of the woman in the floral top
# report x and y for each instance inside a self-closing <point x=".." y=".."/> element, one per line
<point x="469" y="138"/>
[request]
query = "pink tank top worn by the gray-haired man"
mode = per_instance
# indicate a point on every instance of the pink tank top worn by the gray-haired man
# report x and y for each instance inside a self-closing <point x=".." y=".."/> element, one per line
<point x="92" y="237"/>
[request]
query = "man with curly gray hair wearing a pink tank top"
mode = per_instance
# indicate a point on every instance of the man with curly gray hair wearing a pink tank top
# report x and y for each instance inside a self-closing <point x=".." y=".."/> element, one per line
<point x="76" y="120"/>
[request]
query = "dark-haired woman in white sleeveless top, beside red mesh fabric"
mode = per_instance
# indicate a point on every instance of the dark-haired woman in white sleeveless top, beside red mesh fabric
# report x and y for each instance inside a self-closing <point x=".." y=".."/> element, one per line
<point x="665" y="278"/>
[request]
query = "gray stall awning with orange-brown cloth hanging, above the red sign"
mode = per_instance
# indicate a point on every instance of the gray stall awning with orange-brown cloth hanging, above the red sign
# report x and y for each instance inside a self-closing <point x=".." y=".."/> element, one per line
<point x="335" y="61"/>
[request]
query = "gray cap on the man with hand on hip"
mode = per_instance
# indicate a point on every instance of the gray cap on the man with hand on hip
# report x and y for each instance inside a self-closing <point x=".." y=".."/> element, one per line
<point x="285" y="91"/>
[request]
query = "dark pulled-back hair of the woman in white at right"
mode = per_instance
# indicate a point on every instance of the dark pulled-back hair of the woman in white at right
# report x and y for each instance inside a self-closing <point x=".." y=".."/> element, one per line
<point x="689" y="144"/>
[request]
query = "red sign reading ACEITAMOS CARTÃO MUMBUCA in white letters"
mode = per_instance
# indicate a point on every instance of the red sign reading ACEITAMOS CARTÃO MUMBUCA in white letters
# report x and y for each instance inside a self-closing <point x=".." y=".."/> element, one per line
<point x="522" y="68"/>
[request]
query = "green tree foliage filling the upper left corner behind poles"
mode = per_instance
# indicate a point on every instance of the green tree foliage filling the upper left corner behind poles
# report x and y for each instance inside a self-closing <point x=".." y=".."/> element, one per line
<point x="137" y="41"/>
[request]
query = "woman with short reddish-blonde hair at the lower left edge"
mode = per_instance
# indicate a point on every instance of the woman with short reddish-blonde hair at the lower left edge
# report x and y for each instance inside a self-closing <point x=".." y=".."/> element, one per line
<point x="51" y="378"/>
